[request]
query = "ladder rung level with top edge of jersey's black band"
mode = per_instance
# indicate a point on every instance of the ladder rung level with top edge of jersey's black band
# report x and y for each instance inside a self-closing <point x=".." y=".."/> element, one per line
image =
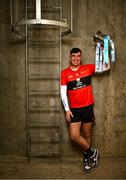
<point x="43" y="77"/>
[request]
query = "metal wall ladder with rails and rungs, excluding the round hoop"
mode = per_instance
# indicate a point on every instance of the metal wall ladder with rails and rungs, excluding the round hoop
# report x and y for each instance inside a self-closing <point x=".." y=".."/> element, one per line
<point x="43" y="99"/>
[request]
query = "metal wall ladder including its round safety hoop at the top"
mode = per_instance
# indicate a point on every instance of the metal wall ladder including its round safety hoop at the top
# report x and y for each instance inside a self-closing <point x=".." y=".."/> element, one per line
<point x="42" y="72"/>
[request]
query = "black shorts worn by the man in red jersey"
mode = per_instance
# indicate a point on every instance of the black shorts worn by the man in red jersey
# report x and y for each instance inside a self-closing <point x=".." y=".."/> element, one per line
<point x="84" y="114"/>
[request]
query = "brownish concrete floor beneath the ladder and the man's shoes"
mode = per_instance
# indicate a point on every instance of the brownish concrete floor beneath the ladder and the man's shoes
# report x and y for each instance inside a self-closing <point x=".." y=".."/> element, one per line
<point x="109" y="168"/>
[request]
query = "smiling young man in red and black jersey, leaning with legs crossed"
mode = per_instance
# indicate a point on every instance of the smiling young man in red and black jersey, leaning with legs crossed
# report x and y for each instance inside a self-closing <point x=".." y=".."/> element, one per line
<point x="77" y="98"/>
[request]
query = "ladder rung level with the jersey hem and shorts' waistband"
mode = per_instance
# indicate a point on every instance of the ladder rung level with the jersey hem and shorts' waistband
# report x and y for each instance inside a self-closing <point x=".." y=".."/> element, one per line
<point x="40" y="109"/>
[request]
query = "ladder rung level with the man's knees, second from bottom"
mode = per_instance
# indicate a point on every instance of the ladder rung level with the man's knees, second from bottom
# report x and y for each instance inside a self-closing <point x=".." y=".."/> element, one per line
<point x="45" y="140"/>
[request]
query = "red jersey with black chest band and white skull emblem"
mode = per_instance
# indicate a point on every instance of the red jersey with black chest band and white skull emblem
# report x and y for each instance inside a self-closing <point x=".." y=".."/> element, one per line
<point x="78" y="84"/>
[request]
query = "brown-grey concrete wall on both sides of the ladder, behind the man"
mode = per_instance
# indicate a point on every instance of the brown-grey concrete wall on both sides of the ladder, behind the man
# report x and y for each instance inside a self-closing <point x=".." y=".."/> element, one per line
<point x="109" y="132"/>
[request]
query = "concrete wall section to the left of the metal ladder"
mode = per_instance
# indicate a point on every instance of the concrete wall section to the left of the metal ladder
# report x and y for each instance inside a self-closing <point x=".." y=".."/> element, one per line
<point x="12" y="88"/>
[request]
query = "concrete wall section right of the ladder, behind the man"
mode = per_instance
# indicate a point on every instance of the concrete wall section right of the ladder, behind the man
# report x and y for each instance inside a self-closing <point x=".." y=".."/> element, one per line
<point x="109" y="90"/>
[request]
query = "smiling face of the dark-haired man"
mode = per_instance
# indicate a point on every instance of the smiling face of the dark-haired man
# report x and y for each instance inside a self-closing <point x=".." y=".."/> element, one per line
<point x="75" y="59"/>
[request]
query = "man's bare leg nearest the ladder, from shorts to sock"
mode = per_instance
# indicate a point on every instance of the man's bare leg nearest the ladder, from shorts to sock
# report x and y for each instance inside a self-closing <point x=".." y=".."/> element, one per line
<point x="75" y="135"/>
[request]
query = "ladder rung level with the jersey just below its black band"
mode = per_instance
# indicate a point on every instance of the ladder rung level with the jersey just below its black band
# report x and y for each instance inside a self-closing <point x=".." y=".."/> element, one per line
<point x="44" y="93"/>
